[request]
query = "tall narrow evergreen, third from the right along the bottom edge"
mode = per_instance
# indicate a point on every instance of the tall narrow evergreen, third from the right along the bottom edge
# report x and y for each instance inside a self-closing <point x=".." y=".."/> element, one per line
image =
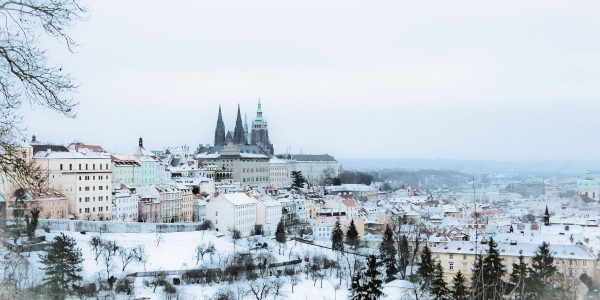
<point x="493" y="271"/>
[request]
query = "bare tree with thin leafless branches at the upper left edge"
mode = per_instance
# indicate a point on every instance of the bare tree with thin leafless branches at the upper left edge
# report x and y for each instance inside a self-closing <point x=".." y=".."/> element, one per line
<point x="27" y="76"/>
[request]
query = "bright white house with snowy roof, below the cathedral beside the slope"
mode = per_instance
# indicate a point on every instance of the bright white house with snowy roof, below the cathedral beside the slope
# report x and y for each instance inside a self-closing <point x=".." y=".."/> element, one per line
<point x="232" y="211"/>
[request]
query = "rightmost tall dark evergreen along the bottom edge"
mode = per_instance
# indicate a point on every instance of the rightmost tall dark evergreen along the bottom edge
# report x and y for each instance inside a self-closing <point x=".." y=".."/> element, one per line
<point x="541" y="272"/>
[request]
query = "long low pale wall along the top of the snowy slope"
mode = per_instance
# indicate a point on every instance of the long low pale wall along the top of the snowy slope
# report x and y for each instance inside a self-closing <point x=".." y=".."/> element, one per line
<point x="115" y="227"/>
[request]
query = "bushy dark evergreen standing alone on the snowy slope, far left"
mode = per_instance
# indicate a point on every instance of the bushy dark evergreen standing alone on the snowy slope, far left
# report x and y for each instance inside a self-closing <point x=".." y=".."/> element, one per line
<point x="62" y="264"/>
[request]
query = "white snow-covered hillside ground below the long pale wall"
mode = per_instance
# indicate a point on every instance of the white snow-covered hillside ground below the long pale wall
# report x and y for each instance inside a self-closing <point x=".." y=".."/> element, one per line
<point x="175" y="251"/>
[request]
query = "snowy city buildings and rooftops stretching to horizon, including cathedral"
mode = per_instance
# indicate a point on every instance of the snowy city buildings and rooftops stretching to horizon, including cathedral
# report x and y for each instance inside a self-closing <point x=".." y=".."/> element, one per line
<point x="239" y="184"/>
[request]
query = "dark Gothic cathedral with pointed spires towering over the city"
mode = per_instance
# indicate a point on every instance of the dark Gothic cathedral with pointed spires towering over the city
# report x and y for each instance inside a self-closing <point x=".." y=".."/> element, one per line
<point x="257" y="136"/>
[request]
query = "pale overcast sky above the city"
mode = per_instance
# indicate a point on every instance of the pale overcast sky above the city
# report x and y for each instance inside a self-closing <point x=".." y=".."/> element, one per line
<point x="502" y="80"/>
